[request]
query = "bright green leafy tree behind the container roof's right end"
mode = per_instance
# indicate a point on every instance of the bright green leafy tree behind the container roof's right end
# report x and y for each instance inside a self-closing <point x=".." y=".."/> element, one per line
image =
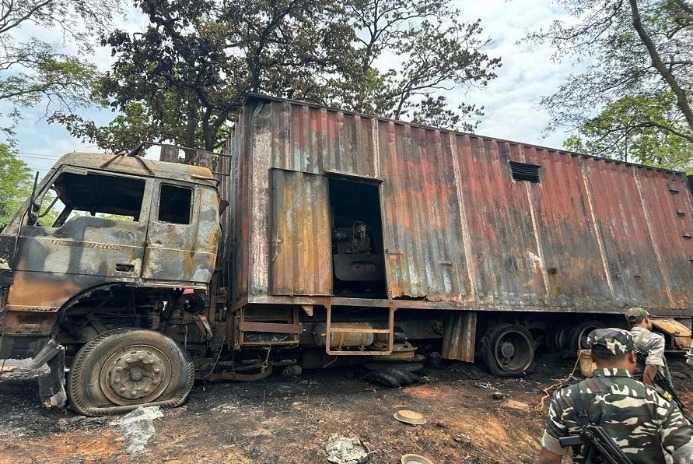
<point x="630" y="129"/>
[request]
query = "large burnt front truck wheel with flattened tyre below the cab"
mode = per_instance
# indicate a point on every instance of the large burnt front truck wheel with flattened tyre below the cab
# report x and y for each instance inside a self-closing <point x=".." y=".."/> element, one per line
<point x="122" y="369"/>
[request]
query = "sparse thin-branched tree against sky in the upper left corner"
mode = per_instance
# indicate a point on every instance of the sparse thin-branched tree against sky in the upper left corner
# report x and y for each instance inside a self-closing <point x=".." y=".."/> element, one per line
<point x="33" y="70"/>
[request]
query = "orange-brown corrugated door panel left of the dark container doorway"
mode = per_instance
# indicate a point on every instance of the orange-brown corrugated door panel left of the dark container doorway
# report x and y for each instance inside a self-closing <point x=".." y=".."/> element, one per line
<point x="301" y="251"/>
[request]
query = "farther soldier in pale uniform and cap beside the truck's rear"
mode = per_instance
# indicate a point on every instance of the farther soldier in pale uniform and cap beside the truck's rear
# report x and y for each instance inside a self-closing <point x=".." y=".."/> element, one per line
<point x="649" y="344"/>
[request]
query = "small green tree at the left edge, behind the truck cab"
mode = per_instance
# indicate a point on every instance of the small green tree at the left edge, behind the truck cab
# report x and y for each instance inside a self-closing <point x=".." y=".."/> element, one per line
<point x="15" y="184"/>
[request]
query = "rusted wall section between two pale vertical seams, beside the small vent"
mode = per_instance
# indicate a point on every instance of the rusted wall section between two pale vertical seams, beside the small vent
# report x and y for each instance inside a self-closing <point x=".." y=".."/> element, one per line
<point x="506" y="256"/>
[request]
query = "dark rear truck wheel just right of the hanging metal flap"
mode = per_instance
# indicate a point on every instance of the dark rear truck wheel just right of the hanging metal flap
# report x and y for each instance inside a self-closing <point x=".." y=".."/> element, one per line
<point x="508" y="350"/>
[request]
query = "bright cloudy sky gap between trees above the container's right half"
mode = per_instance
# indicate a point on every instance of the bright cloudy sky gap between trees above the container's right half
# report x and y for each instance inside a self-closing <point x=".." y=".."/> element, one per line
<point x="528" y="73"/>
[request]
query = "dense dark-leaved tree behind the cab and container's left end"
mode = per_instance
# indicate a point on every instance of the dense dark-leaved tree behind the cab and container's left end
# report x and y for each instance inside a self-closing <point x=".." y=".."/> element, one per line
<point x="186" y="76"/>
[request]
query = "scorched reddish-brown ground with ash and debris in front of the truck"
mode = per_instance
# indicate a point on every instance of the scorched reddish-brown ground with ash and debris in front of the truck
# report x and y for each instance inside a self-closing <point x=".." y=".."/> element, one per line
<point x="290" y="420"/>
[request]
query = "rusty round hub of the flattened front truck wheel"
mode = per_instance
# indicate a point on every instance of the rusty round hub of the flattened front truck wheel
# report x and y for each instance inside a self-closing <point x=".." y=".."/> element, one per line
<point x="139" y="374"/>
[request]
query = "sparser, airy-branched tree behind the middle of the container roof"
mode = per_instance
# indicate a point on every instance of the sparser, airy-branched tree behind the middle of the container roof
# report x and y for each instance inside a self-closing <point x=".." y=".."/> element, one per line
<point x="435" y="53"/>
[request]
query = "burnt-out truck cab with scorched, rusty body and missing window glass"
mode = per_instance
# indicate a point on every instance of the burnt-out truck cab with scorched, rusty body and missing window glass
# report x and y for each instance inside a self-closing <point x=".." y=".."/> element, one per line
<point x="125" y="244"/>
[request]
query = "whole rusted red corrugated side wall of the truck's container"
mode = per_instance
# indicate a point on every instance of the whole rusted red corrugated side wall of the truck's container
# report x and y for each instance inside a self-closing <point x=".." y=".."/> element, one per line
<point x="590" y="235"/>
